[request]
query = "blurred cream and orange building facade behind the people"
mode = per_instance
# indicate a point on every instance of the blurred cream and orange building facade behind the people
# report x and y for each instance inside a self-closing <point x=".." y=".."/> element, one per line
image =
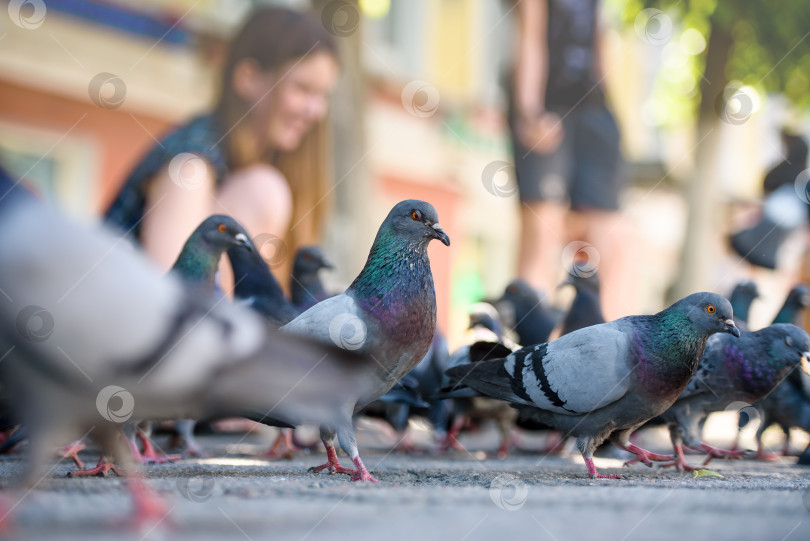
<point x="86" y="87"/>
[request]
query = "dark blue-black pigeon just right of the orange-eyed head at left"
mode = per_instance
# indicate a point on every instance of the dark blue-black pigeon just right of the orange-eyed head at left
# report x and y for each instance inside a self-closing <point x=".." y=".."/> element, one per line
<point x="255" y="286"/>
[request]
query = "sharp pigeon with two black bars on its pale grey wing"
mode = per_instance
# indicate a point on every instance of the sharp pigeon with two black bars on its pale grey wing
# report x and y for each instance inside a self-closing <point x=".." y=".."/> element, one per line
<point x="606" y="380"/>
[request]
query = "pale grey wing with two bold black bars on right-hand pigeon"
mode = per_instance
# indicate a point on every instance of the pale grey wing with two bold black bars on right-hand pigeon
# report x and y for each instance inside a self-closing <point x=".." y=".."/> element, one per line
<point x="577" y="373"/>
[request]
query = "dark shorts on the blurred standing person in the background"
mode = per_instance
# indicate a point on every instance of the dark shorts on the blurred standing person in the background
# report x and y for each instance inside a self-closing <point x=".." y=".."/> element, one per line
<point x="584" y="171"/>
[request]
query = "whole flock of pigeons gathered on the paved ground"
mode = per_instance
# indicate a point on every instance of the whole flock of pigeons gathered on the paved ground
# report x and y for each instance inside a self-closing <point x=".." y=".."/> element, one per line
<point x="96" y="342"/>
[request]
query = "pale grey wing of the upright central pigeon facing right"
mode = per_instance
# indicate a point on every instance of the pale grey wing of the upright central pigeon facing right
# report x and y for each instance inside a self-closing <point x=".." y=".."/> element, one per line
<point x="336" y="320"/>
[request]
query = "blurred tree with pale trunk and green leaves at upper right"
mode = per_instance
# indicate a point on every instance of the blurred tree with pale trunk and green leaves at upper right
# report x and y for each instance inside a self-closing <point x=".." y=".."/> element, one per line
<point x="752" y="47"/>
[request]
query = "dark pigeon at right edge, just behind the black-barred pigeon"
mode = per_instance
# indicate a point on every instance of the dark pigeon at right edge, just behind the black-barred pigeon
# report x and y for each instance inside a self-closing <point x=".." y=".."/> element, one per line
<point x="734" y="371"/>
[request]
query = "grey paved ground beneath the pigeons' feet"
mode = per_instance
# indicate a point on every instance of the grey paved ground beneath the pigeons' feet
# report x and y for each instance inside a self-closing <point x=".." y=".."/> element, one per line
<point x="452" y="497"/>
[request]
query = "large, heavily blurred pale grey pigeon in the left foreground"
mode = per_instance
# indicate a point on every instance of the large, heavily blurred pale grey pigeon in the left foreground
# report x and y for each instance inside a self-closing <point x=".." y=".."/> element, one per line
<point x="96" y="334"/>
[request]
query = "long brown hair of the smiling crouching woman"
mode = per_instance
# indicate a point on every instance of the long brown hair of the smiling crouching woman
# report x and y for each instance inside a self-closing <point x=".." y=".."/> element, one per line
<point x="274" y="36"/>
